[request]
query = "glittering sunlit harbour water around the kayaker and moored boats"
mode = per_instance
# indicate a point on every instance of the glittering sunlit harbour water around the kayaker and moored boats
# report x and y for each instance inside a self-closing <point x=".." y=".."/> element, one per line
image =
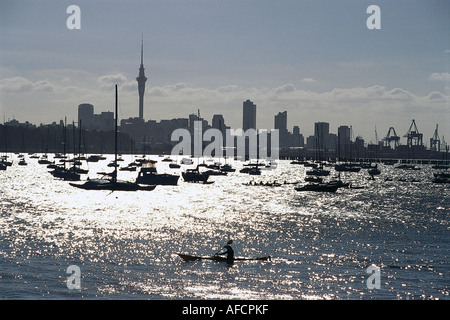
<point x="322" y="245"/>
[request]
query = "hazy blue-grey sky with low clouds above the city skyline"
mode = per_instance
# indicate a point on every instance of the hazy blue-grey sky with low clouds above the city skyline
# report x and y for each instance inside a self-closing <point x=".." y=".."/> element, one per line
<point x="317" y="60"/>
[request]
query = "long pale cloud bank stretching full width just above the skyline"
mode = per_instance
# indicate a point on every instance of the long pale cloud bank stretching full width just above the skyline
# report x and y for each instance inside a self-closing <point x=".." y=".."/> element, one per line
<point x="362" y="107"/>
